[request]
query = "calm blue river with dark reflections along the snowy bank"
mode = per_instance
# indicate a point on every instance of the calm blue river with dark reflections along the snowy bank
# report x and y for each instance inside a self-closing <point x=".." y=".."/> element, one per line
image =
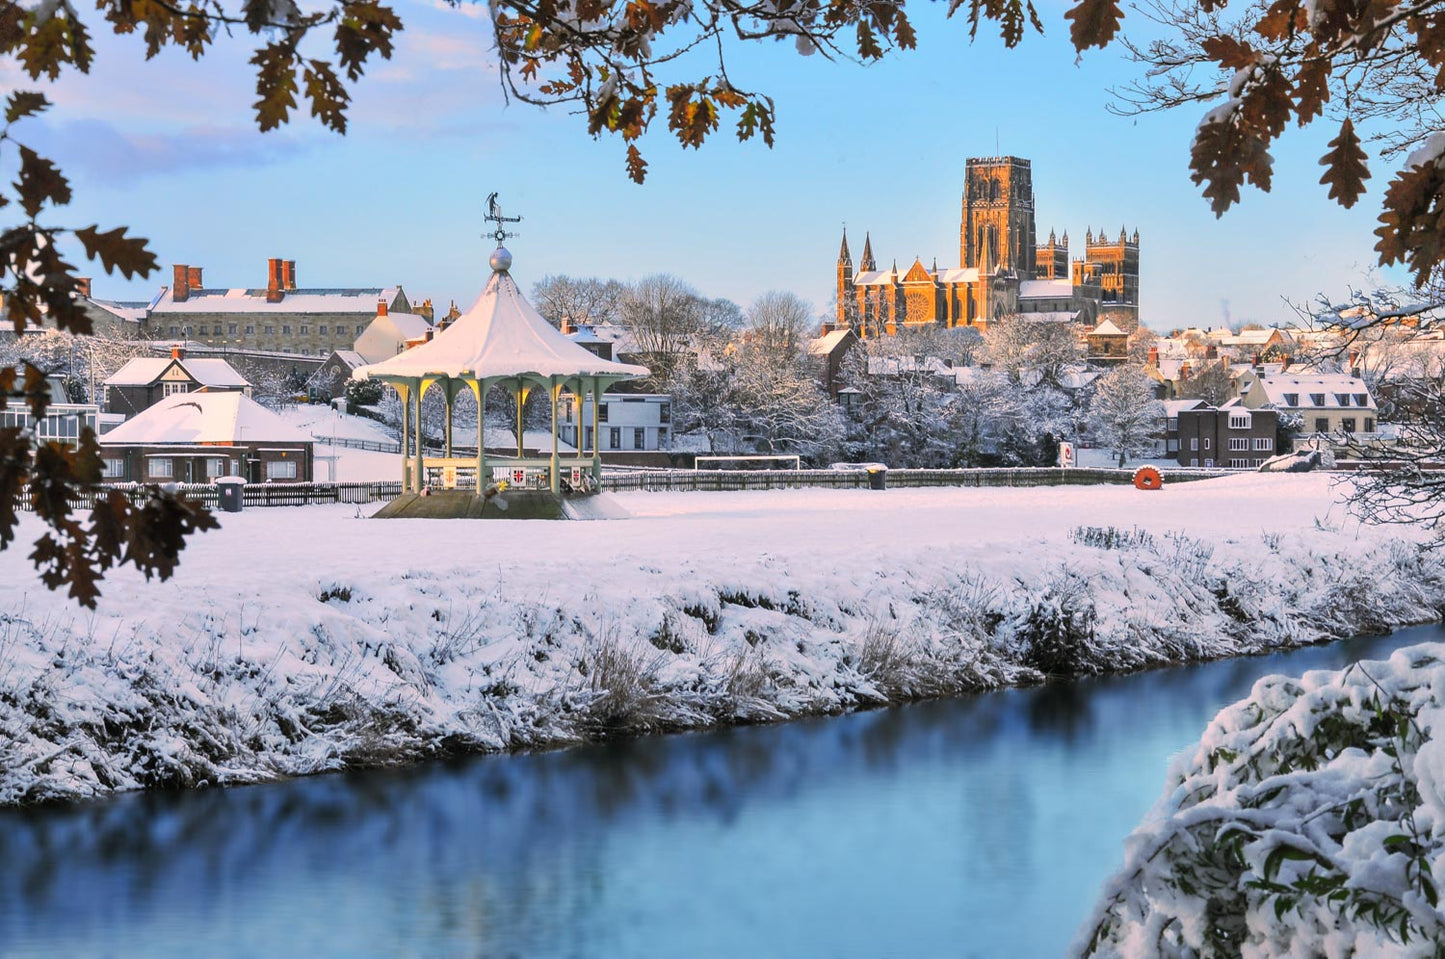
<point x="976" y="827"/>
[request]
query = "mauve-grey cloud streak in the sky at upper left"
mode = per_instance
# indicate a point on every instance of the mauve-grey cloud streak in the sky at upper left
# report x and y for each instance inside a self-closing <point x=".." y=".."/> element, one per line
<point x="102" y="152"/>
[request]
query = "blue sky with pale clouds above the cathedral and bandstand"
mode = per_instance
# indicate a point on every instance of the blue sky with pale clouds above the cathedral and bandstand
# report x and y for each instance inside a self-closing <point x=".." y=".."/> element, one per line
<point x="168" y="148"/>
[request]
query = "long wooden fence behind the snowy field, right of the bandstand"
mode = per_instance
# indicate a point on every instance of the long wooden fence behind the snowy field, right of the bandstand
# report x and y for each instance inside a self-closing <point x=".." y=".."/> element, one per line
<point x="728" y="480"/>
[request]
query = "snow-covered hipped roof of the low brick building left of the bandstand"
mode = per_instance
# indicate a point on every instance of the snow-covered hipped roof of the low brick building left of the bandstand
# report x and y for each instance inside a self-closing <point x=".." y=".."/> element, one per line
<point x="204" y="418"/>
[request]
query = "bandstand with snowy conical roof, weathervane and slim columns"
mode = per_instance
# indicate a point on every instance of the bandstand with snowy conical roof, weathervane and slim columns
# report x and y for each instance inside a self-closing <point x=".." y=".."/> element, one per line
<point x="501" y="342"/>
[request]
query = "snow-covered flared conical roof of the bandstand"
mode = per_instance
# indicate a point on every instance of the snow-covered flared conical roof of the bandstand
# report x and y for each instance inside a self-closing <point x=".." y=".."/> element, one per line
<point x="501" y="336"/>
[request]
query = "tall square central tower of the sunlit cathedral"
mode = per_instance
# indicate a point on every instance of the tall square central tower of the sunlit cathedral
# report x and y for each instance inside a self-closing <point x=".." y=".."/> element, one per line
<point x="998" y="232"/>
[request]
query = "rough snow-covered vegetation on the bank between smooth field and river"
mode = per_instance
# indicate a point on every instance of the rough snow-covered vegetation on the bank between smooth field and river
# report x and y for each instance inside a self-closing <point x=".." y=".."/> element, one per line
<point x="196" y="684"/>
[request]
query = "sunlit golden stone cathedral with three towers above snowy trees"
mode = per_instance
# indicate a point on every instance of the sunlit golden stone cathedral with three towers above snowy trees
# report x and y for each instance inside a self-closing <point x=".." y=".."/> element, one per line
<point x="1002" y="268"/>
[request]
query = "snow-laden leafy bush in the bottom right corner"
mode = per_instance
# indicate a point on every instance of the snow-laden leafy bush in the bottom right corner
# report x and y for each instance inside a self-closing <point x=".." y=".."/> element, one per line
<point x="1308" y="823"/>
